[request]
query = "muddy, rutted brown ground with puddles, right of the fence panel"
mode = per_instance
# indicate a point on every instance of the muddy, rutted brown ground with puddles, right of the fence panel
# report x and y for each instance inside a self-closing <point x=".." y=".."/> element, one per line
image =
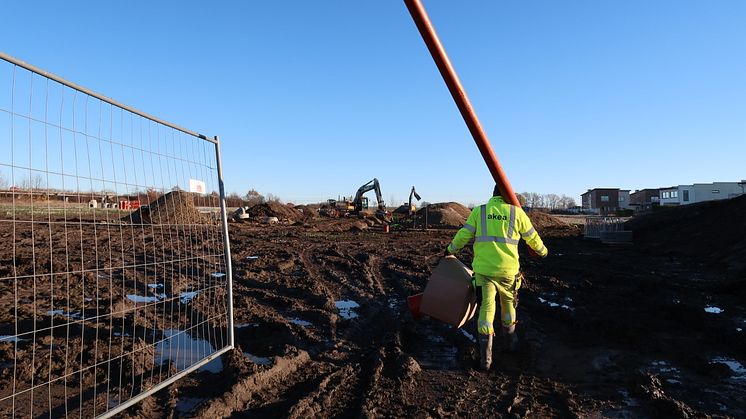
<point x="323" y="330"/>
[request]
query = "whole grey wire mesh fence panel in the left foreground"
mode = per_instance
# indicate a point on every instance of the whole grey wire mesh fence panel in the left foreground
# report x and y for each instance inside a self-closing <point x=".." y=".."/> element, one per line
<point x="113" y="284"/>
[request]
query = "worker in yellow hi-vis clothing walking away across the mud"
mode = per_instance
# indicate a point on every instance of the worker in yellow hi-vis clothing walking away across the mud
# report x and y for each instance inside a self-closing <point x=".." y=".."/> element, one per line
<point x="497" y="227"/>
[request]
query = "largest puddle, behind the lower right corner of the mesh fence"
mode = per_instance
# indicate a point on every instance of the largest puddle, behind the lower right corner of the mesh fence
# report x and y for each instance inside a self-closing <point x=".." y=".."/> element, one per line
<point x="183" y="351"/>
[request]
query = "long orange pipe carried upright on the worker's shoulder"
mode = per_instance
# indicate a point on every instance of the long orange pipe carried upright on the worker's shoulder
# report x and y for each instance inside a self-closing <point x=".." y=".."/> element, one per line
<point x="459" y="96"/>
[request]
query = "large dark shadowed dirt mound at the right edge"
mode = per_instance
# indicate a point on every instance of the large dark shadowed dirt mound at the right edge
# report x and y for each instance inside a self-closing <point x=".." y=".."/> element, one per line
<point x="714" y="232"/>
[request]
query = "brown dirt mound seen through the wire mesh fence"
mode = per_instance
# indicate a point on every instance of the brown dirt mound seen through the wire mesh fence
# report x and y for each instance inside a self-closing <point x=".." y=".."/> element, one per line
<point x="176" y="207"/>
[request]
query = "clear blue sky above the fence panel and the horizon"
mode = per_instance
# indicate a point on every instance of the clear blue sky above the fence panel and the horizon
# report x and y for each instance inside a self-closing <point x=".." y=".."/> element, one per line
<point x="314" y="98"/>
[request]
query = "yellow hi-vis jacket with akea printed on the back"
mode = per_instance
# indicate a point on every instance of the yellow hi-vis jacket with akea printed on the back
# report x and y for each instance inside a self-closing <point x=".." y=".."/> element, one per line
<point x="497" y="227"/>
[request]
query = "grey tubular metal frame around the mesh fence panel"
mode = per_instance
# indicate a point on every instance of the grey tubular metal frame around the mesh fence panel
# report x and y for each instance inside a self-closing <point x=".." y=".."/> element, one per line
<point x="224" y="226"/>
